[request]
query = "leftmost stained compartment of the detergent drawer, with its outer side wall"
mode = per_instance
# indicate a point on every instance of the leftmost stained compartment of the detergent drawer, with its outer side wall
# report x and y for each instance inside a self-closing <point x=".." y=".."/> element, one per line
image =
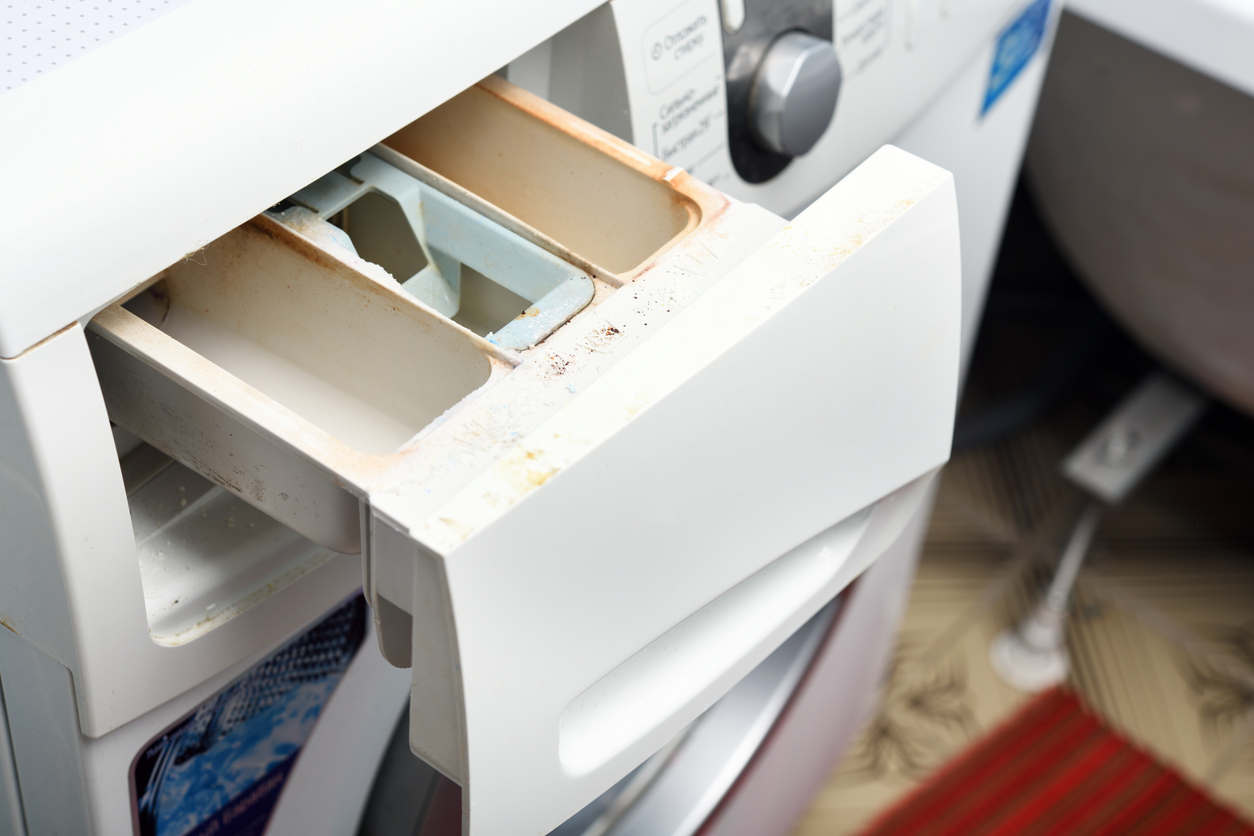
<point x="284" y="374"/>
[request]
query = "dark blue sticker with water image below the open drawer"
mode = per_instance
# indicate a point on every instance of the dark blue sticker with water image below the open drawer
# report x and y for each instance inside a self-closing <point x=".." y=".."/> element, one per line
<point x="220" y="770"/>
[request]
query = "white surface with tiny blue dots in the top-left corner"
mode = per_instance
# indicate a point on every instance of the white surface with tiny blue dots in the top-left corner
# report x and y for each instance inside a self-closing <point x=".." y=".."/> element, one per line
<point x="41" y="36"/>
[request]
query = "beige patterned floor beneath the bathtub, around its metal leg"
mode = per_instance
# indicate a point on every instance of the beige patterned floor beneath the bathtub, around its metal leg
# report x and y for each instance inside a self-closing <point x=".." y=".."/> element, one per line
<point x="1163" y="630"/>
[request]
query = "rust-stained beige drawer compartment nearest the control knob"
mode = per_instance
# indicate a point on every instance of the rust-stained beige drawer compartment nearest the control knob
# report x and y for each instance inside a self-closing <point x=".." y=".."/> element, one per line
<point x="610" y="205"/>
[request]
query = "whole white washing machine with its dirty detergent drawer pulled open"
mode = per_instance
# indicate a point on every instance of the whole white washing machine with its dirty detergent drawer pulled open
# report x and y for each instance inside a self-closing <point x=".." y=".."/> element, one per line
<point x="344" y="380"/>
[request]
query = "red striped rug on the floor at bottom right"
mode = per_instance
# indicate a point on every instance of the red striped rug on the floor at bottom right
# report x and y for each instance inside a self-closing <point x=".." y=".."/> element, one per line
<point x="1051" y="770"/>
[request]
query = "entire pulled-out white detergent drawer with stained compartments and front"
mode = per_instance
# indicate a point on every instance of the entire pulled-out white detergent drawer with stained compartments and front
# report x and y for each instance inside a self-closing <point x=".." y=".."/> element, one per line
<point x="580" y="541"/>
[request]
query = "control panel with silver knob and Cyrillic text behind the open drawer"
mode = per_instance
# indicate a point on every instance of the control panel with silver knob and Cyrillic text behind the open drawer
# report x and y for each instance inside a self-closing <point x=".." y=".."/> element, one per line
<point x="772" y="102"/>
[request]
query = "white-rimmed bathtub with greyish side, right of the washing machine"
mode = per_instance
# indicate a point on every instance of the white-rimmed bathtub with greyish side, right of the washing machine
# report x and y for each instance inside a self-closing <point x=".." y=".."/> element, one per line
<point x="1142" y="166"/>
